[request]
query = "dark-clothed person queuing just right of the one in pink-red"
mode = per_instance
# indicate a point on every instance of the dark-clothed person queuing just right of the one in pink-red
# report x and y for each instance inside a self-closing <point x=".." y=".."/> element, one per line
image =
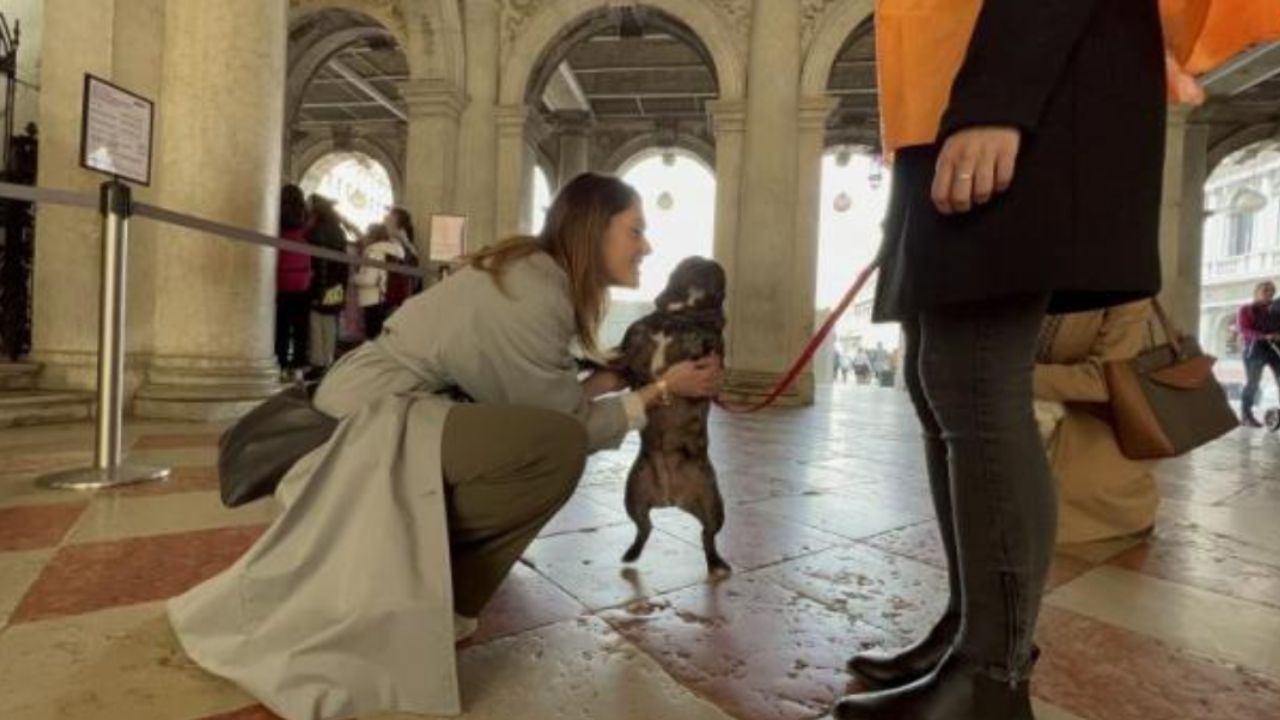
<point x="328" y="286"/>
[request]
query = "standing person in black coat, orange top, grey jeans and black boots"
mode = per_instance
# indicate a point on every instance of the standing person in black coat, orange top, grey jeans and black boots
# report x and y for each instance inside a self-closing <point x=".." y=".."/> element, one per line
<point x="1028" y="143"/>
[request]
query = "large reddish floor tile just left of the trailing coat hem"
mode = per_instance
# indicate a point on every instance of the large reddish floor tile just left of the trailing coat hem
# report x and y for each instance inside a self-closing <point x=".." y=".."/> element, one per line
<point x="84" y="578"/>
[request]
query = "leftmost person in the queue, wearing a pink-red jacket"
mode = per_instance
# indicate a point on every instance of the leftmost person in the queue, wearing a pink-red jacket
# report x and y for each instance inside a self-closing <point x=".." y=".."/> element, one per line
<point x="292" y="285"/>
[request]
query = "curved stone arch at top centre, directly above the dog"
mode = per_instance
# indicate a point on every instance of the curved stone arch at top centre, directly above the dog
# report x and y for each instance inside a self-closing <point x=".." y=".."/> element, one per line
<point x="542" y="33"/>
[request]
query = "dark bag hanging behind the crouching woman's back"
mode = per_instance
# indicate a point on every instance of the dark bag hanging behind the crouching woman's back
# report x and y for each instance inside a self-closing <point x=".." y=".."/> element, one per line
<point x="257" y="453"/>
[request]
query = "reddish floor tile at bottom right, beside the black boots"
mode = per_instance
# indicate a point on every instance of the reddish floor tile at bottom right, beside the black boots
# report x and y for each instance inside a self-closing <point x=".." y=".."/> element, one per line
<point x="1101" y="672"/>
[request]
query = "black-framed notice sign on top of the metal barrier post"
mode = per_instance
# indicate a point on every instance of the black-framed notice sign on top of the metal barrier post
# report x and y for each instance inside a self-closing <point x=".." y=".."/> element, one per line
<point x="117" y="131"/>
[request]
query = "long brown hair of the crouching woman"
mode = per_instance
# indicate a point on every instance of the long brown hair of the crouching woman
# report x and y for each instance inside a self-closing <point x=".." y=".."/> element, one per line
<point x="574" y="236"/>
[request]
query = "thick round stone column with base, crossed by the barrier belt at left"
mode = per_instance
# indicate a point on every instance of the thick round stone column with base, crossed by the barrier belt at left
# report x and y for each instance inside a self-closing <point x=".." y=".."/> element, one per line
<point x="220" y="158"/>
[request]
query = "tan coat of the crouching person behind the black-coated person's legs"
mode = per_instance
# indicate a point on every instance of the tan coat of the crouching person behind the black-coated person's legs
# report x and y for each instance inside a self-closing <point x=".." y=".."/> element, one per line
<point x="1103" y="494"/>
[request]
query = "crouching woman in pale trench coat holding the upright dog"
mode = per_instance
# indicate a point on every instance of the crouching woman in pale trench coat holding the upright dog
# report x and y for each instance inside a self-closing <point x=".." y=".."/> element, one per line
<point x="399" y="531"/>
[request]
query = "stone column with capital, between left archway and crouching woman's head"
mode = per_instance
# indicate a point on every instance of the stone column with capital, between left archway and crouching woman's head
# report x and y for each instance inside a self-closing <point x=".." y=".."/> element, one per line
<point x="432" y="157"/>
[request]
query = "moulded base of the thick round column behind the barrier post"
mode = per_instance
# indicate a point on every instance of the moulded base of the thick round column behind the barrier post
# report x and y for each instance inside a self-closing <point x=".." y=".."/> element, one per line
<point x="204" y="391"/>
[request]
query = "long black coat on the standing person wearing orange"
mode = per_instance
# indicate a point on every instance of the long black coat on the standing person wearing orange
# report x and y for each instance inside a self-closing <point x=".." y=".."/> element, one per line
<point x="1085" y="81"/>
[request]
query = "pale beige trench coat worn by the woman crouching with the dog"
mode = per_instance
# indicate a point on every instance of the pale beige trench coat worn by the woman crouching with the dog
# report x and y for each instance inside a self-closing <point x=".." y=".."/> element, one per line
<point x="345" y="607"/>
